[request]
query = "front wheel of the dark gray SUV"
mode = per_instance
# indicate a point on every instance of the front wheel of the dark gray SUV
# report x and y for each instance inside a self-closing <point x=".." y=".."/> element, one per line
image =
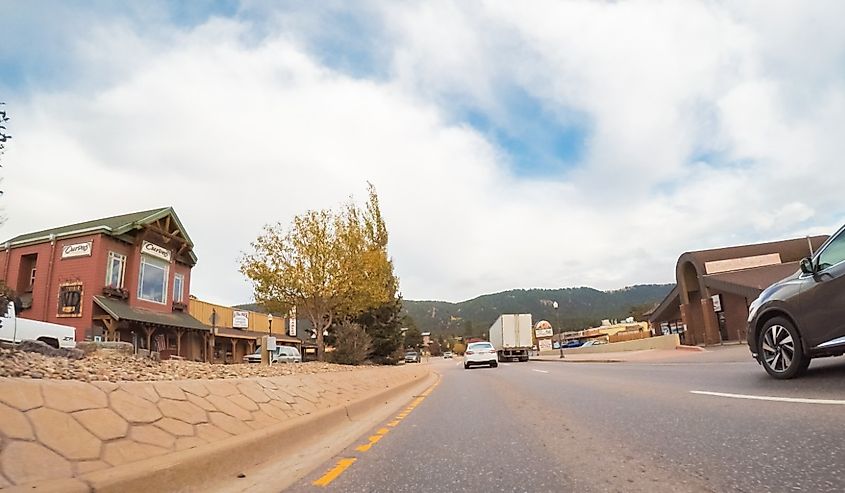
<point x="780" y="350"/>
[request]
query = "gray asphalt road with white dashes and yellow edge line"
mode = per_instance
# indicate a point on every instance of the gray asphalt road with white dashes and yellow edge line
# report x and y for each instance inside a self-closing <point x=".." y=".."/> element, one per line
<point x="551" y="426"/>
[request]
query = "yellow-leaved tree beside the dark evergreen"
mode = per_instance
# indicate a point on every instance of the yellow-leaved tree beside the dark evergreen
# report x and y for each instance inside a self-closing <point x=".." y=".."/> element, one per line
<point x="331" y="265"/>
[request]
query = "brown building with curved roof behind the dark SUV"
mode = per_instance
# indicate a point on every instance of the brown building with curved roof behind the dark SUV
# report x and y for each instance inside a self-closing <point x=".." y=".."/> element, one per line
<point x="709" y="303"/>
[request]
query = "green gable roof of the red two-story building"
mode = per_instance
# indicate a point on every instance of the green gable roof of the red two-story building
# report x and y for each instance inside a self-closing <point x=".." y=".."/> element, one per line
<point x="112" y="226"/>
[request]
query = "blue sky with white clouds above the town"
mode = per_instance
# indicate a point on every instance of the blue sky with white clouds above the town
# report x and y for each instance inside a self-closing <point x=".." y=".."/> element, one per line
<point x="561" y="144"/>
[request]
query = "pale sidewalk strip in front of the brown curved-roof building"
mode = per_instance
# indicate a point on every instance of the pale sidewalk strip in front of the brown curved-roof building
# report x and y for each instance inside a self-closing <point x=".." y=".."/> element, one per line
<point x="737" y="353"/>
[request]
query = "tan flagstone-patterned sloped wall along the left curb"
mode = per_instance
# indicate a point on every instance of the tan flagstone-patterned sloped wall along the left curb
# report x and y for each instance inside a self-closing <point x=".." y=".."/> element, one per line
<point x="64" y="429"/>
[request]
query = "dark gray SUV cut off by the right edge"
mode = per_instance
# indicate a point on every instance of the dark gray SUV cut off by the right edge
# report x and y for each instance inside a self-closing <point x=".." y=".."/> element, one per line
<point x="803" y="316"/>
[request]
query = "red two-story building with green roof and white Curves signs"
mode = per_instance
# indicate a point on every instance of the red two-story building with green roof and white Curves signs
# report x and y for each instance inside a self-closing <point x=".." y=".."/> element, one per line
<point x="118" y="278"/>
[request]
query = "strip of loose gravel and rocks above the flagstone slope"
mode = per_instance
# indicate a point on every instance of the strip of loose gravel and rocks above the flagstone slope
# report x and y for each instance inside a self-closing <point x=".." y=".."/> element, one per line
<point x="113" y="366"/>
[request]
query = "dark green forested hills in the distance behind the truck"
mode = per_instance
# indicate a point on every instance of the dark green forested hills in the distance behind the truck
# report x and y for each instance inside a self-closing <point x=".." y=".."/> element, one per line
<point x="578" y="307"/>
